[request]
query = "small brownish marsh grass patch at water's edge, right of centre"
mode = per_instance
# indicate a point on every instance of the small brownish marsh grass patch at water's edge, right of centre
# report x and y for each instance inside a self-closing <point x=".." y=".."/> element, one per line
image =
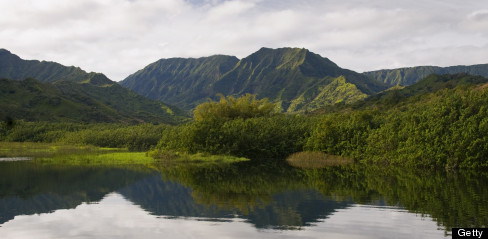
<point x="316" y="160"/>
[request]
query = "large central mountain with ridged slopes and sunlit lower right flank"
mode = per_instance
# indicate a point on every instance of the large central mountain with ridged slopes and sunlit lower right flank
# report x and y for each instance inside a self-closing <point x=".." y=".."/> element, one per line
<point x="295" y="78"/>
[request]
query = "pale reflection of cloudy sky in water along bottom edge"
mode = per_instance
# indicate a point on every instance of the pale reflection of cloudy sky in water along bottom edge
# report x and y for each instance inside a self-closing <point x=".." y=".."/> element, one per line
<point x="116" y="217"/>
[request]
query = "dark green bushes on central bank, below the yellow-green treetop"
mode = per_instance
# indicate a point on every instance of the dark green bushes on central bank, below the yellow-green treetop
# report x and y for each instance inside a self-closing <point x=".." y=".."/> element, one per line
<point x="261" y="137"/>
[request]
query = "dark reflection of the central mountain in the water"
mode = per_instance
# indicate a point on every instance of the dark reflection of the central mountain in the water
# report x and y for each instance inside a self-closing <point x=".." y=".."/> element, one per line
<point x="285" y="210"/>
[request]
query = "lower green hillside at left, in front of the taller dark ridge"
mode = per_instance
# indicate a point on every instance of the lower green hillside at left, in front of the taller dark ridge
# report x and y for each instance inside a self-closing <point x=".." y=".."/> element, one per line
<point x="32" y="100"/>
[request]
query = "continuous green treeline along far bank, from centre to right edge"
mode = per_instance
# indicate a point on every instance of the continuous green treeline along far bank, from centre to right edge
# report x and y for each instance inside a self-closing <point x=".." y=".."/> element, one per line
<point x="446" y="128"/>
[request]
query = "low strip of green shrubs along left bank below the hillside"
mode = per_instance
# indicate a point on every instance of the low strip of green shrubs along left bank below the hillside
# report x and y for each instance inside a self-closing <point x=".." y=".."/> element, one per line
<point x="133" y="137"/>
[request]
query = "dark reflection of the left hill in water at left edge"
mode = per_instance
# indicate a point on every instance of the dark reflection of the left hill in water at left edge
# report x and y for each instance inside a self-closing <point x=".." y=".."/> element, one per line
<point x="27" y="188"/>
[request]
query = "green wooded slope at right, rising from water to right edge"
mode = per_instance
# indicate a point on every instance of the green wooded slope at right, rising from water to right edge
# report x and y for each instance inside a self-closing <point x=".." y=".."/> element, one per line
<point x="438" y="123"/>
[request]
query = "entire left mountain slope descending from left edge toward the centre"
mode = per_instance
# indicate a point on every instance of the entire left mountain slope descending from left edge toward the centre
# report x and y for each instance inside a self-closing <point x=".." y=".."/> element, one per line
<point x="53" y="92"/>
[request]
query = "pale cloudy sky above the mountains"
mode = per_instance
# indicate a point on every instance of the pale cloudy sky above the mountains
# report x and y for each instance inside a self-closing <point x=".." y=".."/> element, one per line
<point x="119" y="37"/>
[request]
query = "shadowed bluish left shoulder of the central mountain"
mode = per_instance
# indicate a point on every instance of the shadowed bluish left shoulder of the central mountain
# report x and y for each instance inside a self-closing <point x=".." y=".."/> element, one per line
<point x="179" y="81"/>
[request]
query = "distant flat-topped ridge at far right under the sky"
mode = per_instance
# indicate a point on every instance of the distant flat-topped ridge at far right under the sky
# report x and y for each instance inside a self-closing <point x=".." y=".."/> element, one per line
<point x="410" y="75"/>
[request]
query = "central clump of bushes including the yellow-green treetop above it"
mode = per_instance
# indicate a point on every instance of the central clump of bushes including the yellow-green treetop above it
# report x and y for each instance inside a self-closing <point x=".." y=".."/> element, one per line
<point x="243" y="127"/>
